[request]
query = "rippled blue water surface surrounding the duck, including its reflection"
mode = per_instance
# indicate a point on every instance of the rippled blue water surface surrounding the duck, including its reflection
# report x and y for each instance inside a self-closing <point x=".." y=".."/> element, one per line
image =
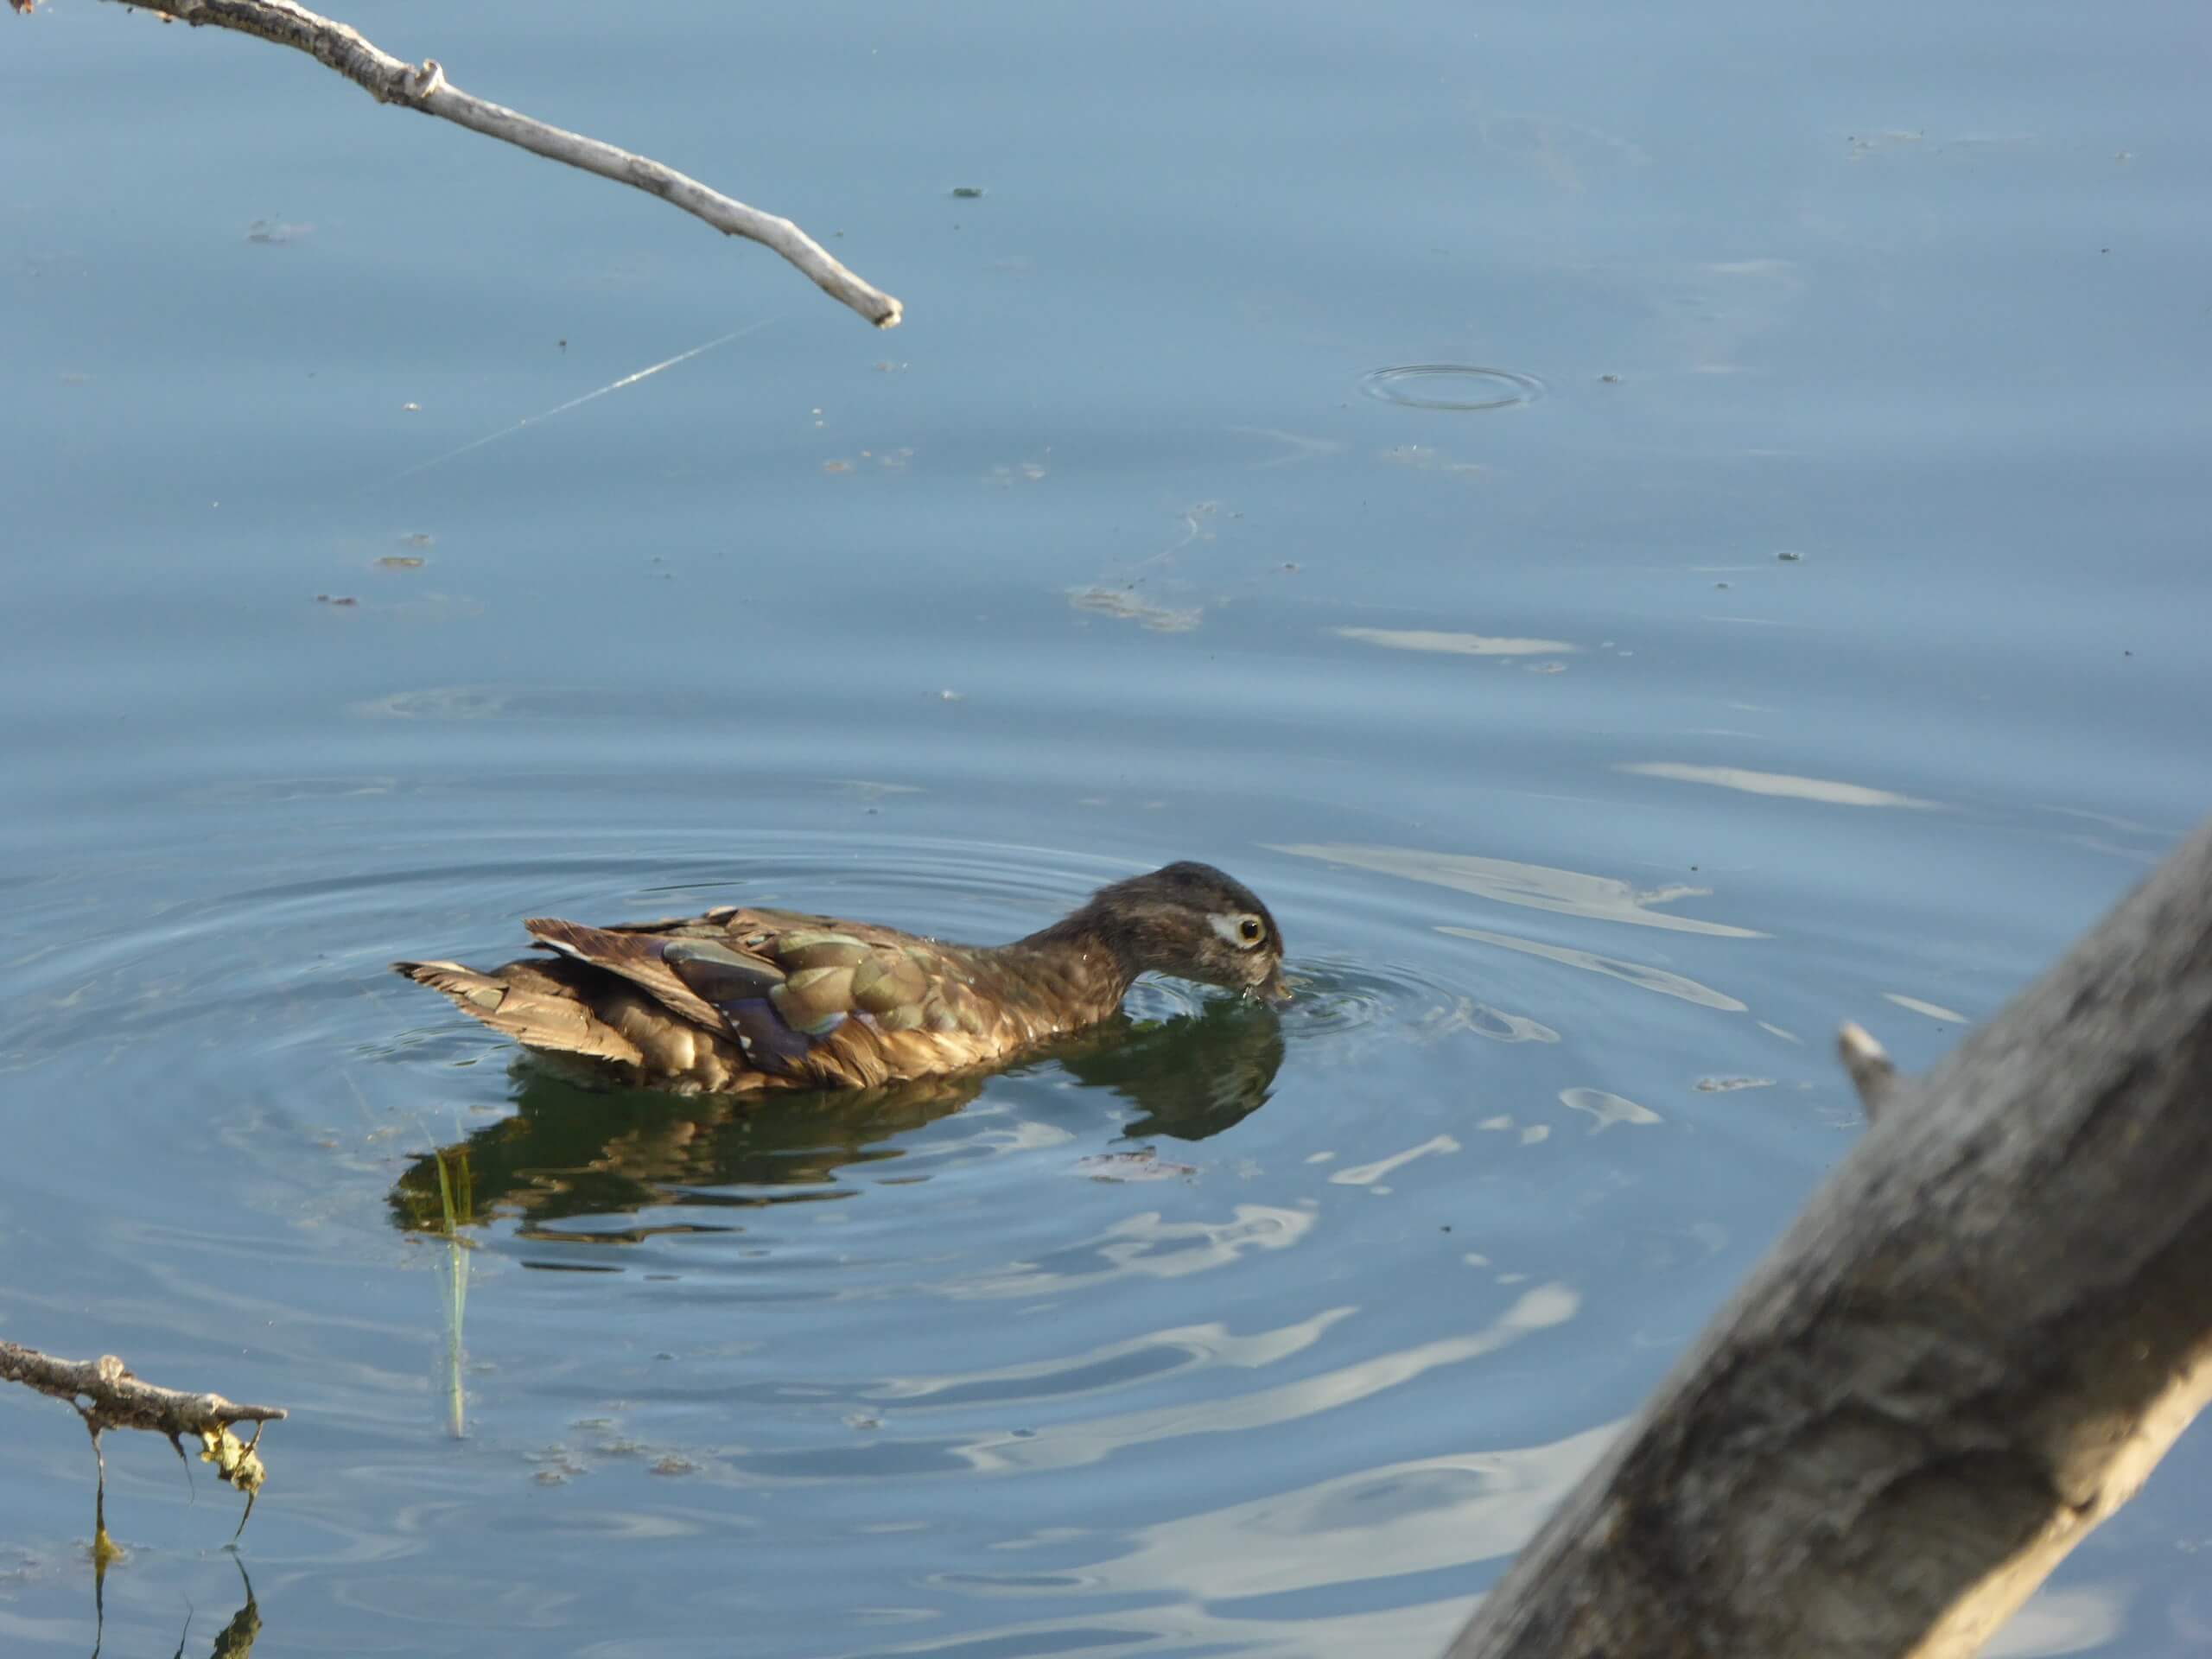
<point x="1817" y="636"/>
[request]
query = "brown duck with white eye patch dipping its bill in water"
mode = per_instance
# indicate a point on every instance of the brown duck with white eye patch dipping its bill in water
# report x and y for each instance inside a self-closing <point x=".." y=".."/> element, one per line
<point x="764" y="999"/>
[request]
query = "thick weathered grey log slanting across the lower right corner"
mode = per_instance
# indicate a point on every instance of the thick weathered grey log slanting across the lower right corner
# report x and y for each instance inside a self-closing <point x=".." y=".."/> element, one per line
<point x="1974" y="1344"/>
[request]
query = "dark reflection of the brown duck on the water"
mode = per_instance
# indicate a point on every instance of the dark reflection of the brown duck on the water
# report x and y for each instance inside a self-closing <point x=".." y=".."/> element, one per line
<point x="576" y="1149"/>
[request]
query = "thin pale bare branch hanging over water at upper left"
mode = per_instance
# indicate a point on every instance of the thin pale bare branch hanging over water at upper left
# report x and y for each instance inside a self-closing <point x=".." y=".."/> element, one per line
<point x="426" y="90"/>
